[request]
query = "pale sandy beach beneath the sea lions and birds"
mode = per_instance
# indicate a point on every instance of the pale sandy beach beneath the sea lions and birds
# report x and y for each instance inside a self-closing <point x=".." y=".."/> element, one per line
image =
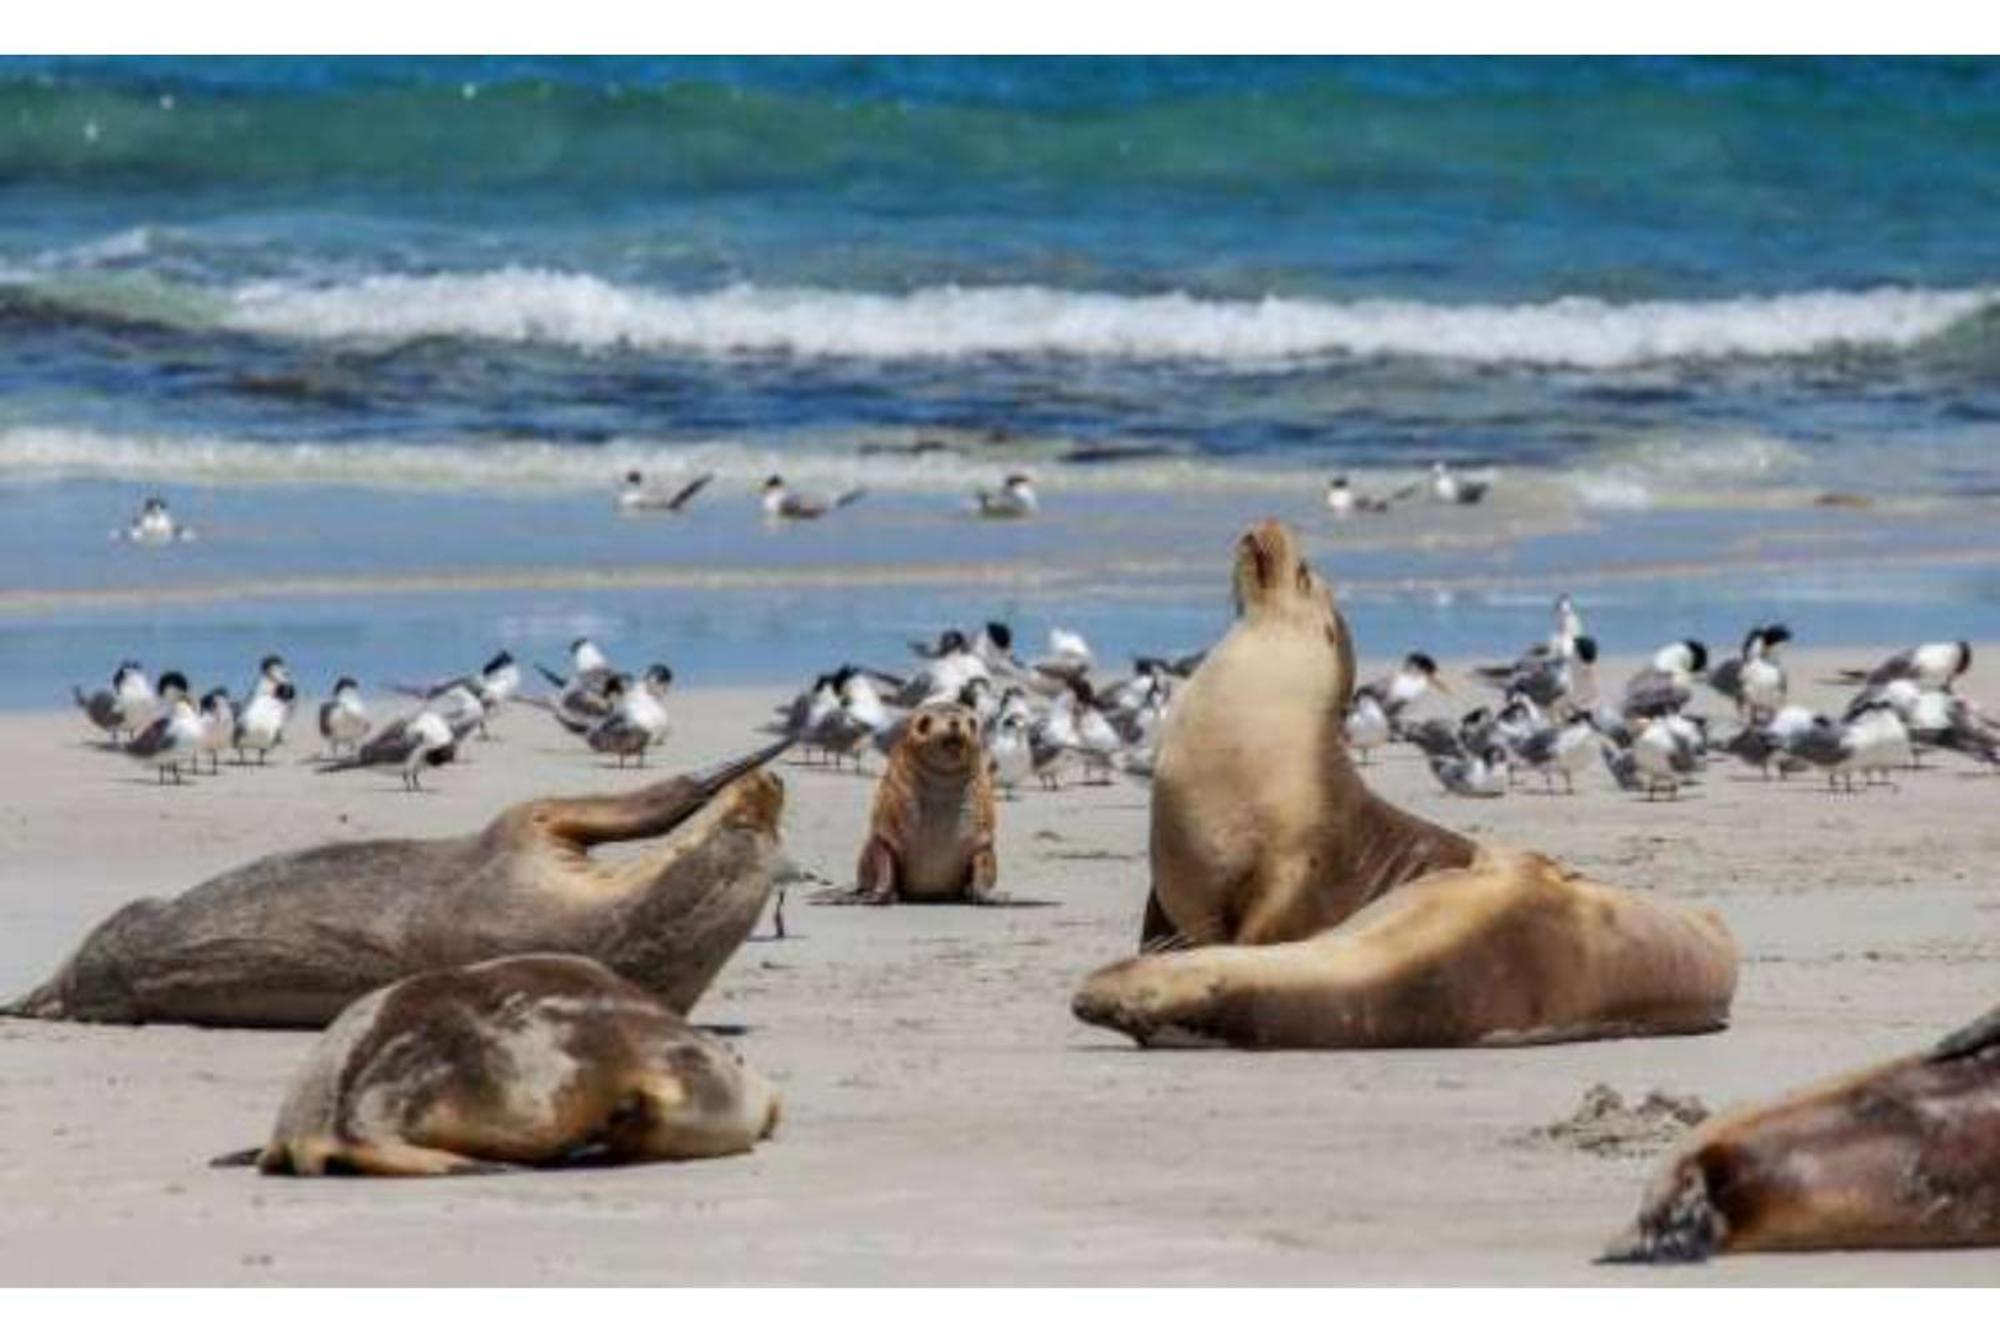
<point x="947" y="1119"/>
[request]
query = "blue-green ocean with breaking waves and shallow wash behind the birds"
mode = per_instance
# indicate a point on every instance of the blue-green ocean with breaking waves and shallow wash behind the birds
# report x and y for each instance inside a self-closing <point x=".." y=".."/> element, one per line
<point x="389" y="331"/>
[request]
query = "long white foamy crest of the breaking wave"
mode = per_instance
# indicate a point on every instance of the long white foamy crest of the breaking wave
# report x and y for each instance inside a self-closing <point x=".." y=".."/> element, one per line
<point x="953" y="323"/>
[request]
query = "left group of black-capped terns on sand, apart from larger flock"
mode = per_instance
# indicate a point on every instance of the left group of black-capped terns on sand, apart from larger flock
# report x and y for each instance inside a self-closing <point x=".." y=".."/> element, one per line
<point x="163" y="725"/>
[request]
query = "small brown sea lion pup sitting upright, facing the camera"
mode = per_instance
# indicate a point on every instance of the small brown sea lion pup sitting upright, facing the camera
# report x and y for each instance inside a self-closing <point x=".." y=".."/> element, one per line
<point x="933" y="829"/>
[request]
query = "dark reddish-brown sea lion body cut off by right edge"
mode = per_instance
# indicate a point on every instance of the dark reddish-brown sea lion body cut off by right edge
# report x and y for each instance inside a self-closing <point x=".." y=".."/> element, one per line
<point x="1903" y="1155"/>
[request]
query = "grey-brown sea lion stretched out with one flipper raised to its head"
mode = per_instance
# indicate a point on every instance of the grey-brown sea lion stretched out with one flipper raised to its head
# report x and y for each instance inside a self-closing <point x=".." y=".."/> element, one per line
<point x="291" y="941"/>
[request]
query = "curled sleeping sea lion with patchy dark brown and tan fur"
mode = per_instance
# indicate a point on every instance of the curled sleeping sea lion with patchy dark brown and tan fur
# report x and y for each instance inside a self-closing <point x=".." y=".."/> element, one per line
<point x="523" y="1061"/>
